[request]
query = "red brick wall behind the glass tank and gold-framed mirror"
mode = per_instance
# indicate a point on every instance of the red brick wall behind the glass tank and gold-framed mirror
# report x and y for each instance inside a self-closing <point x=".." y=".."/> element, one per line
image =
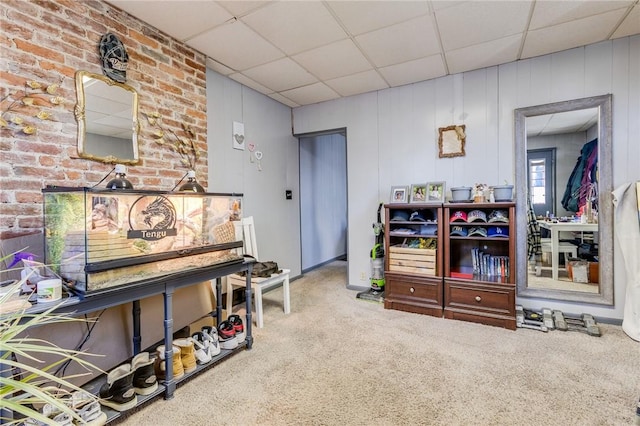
<point x="48" y="41"/>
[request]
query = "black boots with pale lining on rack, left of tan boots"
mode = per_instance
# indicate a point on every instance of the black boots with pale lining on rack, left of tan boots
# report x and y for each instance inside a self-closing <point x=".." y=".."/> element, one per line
<point x="128" y="380"/>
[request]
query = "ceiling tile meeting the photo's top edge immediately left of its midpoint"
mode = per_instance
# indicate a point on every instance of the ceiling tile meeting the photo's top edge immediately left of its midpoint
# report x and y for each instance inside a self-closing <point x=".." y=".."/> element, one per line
<point x="295" y="26"/>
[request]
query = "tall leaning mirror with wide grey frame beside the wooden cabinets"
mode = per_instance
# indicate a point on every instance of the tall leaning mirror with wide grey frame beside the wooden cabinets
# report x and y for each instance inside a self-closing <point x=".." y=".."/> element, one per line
<point x="564" y="203"/>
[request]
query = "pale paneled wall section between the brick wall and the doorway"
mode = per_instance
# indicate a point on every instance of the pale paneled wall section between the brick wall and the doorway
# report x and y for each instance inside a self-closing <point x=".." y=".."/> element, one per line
<point x="267" y="124"/>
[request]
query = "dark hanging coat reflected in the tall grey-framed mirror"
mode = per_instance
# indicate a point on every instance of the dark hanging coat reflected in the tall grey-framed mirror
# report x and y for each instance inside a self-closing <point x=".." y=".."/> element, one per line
<point x="583" y="174"/>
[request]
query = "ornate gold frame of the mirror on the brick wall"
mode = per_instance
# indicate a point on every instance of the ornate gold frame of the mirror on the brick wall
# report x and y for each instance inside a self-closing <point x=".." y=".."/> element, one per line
<point x="84" y="148"/>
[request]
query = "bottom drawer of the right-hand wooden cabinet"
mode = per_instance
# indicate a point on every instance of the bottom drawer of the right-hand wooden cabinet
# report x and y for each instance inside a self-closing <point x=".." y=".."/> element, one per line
<point x="489" y="298"/>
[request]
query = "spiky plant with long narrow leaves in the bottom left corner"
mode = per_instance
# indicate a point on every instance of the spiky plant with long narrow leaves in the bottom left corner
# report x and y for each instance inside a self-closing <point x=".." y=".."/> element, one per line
<point x="26" y="386"/>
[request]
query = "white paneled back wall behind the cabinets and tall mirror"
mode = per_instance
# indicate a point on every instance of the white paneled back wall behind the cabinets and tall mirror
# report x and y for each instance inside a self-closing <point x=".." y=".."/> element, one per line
<point x="393" y="132"/>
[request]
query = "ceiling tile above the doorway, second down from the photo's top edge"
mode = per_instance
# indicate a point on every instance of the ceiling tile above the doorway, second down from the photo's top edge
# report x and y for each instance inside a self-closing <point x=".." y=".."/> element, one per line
<point x="334" y="60"/>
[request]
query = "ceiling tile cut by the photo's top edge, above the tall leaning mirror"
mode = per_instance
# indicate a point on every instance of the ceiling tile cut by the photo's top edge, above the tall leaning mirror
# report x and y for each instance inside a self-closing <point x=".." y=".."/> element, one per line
<point x="549" y="13"/>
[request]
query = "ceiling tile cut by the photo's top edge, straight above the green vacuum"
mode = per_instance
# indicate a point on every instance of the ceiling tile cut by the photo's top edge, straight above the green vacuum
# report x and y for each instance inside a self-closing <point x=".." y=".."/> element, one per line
<point x="364" y="16"/>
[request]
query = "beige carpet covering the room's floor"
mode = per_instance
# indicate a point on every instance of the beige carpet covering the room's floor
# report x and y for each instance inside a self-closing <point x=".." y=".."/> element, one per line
<point x="336" y="360"/>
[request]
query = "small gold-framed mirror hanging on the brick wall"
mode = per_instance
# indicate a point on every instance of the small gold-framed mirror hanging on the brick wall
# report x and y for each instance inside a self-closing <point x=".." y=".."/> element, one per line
<point x="107" y="114"/>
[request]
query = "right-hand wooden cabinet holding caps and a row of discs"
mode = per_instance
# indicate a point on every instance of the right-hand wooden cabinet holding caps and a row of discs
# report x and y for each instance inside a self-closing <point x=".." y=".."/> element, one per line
<point x="479" y="263"/>
